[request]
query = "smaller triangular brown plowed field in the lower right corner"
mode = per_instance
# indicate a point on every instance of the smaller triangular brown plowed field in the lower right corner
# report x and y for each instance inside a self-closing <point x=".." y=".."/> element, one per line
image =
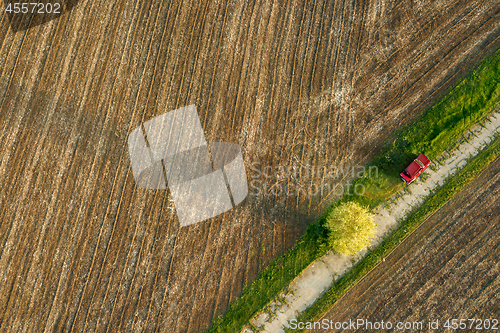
<point x="447" y="269"/>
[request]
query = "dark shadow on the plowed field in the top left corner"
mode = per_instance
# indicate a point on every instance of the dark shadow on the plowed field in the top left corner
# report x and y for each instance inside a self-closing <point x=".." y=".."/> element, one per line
<point x="25" y="14"/>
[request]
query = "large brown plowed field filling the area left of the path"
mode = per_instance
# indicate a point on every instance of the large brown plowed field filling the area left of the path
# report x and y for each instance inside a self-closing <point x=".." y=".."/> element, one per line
<point x="317" y="83"/>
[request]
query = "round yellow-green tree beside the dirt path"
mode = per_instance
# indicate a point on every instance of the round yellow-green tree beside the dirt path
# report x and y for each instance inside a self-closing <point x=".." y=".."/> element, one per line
<point x="350" y="228"/>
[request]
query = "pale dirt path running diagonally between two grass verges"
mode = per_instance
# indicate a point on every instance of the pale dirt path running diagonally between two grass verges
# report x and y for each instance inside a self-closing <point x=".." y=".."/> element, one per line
<point x="321" y="274"/>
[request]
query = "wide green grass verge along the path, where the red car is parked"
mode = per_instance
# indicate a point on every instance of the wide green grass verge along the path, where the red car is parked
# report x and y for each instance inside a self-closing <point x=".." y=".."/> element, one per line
<point x="440" y="127"/>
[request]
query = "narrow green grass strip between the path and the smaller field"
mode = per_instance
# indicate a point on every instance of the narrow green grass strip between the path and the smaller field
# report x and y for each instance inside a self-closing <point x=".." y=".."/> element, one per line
<point x="432" y="204"/>
